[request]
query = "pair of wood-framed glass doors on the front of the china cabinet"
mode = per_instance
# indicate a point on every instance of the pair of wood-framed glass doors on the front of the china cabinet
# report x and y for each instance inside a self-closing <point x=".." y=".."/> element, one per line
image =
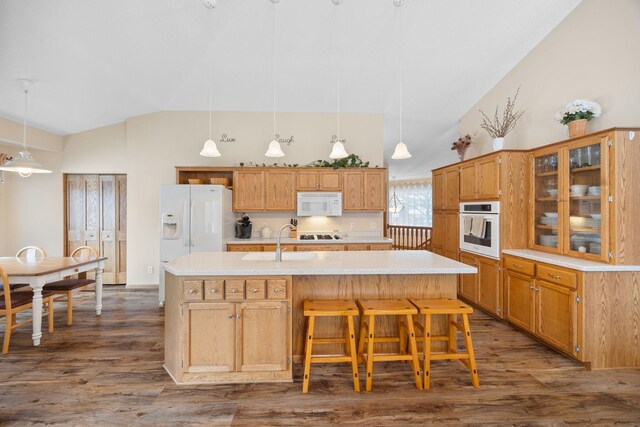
<point x="570" y="209"/>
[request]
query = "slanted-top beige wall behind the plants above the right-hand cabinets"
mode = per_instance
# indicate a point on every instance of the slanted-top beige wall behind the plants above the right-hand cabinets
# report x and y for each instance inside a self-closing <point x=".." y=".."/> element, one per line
<point x="592" y="54"/>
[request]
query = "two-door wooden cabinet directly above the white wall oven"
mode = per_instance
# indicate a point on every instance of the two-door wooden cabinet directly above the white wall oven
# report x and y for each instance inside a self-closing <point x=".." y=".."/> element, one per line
<point x="480" y="179"/>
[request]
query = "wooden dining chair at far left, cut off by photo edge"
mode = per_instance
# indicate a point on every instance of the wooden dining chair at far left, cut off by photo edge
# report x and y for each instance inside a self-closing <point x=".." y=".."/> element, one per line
<point x="12" y="303"/>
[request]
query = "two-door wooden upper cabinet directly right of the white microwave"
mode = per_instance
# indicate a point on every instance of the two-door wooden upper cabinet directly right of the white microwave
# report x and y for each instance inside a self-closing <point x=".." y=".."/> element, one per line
<point x="364" y="190"/>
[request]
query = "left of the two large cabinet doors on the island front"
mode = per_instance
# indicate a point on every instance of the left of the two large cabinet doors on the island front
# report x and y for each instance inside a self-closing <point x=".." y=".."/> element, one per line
<point x="210" y="337"/>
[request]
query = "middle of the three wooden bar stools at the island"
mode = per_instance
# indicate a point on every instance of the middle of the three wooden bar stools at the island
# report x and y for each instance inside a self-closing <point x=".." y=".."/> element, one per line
<point x="404" y="311"/>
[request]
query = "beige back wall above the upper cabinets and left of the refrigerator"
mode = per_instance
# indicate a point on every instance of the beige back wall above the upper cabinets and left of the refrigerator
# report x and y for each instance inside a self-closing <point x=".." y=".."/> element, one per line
<point x="158" y="142"/>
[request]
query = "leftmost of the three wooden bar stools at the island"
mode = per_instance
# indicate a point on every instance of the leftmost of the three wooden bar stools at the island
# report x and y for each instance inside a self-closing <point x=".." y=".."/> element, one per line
<point x="330" y="308"/>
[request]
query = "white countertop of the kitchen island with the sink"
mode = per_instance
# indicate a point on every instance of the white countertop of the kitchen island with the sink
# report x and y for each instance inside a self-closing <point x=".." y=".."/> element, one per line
<point x="326" y="263"/>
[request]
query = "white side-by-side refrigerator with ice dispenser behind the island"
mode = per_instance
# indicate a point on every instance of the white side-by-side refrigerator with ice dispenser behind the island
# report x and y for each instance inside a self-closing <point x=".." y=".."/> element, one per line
<point x="194" y="218"/>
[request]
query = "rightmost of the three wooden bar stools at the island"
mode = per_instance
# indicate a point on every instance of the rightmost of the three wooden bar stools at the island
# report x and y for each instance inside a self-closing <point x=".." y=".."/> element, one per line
<point x="452" y="308"/>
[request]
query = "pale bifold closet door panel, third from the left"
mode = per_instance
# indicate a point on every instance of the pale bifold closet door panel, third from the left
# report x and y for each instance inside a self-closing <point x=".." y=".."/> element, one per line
<point x="108" y="226"/>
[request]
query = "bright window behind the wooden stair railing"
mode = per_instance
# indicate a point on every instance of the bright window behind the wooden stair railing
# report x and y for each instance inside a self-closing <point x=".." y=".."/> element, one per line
<point x="415" y="197"/>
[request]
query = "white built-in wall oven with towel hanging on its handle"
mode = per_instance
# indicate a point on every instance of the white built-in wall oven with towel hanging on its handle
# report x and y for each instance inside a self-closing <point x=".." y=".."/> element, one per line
<point x="480" y="228"/>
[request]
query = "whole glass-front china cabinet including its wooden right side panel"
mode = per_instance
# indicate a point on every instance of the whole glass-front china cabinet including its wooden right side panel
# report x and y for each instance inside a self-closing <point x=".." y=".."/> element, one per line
<point x="586" y="198"/>
